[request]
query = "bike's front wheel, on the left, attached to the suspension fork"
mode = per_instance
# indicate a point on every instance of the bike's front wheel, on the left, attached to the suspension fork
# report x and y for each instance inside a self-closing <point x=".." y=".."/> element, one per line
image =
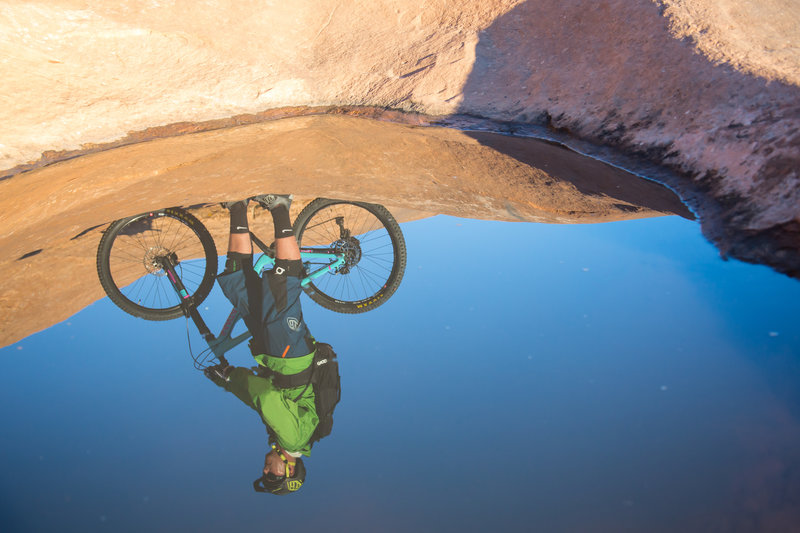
<point x="129" y="261"/>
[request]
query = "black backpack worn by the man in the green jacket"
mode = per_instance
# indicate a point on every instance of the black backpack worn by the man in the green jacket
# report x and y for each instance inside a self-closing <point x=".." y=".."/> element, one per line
<point x="323" y="376"/>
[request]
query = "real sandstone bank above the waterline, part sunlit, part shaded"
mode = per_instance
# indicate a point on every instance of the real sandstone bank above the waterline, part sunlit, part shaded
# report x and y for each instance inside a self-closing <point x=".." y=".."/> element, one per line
<point x="709" y="91"/>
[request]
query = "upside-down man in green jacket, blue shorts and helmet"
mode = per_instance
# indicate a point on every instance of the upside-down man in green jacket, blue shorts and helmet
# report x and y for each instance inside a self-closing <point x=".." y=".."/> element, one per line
<point x="281" y="344"/>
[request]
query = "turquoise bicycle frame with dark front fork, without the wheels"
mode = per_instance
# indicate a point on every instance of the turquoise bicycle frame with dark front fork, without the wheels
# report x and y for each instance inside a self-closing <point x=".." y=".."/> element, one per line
<point x="222" y="343"/>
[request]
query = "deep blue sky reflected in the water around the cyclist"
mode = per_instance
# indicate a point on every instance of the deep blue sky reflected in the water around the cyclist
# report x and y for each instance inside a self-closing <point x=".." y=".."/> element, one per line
<point x="617" y="374"/>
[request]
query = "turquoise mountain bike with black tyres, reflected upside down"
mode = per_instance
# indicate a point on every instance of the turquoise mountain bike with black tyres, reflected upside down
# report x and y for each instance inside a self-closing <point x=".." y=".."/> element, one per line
<point x="162" y="264"/>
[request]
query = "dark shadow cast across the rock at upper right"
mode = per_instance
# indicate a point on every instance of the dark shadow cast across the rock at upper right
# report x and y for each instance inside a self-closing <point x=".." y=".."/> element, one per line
<point x="610" y="74"/>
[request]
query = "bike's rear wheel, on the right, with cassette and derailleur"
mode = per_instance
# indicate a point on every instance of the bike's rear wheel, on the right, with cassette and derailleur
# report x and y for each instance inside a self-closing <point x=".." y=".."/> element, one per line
<point x="374" y="249"/>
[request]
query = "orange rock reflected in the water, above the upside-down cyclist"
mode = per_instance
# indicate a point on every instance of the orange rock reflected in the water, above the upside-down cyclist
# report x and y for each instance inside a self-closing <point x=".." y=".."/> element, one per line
<point x="49" y="245"/>
